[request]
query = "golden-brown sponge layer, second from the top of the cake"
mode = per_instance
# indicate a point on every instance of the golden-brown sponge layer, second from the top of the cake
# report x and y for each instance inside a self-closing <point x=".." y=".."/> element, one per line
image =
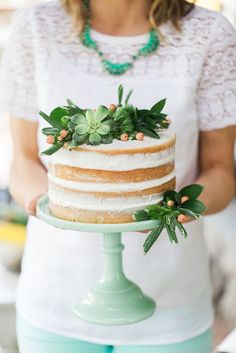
<point x="107" y="176"/>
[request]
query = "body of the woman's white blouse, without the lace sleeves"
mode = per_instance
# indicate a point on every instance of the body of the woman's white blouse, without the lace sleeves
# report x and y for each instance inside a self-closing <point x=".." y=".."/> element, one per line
<point x="59" y="266"/>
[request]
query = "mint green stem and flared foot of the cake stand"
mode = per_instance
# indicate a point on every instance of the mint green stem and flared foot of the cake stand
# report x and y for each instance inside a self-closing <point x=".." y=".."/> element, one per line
<point x="114" y="300"/>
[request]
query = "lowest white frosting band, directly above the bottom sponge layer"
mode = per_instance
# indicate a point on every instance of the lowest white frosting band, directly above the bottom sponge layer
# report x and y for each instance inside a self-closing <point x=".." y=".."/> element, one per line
<point x="93" y="203"/>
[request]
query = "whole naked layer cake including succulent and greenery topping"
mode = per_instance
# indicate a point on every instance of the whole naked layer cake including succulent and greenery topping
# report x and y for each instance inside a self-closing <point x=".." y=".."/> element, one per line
<point x="107" y="163"/>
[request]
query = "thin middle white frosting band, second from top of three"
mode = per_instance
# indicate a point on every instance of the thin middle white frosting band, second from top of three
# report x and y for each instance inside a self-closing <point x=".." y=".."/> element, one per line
<point x="110" y="187"/>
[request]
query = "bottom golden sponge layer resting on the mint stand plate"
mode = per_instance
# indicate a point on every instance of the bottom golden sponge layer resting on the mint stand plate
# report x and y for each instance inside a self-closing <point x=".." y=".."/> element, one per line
<point x="88" y="216"/>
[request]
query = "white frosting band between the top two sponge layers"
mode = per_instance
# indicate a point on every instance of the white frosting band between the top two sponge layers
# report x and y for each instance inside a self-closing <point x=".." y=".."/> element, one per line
<point x="119" y="162"/>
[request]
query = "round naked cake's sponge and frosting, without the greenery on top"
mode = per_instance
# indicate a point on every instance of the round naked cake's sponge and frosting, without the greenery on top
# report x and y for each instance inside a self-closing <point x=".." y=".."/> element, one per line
<point x="108" y="183"/>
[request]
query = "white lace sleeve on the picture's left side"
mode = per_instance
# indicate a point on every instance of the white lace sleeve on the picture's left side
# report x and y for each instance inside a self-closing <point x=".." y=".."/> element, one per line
<point x="18" y="89"/>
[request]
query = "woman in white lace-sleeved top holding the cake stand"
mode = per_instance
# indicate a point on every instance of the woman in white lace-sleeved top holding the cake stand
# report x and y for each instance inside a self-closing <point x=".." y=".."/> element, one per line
<point x="194" y="67"/>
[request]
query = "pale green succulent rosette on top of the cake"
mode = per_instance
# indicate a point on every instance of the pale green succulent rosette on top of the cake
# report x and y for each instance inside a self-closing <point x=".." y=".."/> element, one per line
<point x="94" y="127"/>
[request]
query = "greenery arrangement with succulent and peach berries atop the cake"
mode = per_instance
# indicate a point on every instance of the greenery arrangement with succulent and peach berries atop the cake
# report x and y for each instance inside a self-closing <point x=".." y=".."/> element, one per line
<point x="74" y="126"/>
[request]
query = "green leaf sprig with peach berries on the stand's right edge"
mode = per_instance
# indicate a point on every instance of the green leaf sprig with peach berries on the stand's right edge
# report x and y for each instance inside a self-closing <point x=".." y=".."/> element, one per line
<point x="171" y="212"/>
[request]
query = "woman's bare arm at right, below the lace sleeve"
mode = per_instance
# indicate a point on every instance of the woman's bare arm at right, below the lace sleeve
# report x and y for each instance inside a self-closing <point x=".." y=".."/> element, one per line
<point x="216" y="159"/>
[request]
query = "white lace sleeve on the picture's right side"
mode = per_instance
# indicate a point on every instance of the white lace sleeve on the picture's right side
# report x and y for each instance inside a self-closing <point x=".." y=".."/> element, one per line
<point x="216" y="101"/>
